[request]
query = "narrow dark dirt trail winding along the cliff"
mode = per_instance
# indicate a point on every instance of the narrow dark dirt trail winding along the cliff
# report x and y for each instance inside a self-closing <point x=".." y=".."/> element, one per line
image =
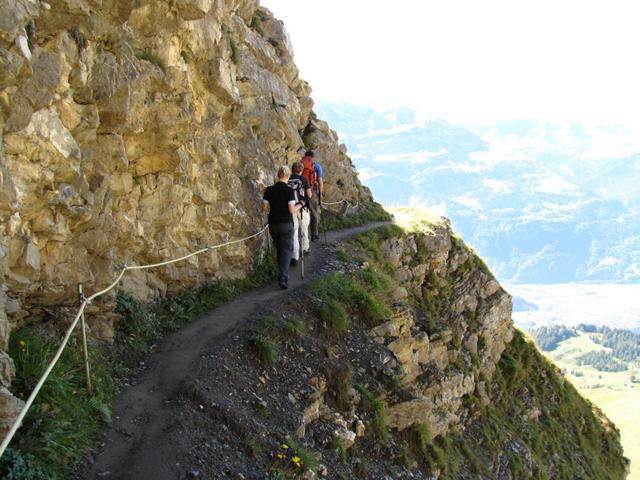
<point x="137" y="445"/>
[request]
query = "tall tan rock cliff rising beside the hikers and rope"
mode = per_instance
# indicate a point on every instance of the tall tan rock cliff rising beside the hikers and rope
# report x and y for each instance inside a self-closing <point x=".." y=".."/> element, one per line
<point x="135" y="132"/>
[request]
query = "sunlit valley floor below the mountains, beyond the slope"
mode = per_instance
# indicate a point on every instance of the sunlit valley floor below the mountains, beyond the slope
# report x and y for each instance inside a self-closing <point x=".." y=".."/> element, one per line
<point x="615" y="306"/>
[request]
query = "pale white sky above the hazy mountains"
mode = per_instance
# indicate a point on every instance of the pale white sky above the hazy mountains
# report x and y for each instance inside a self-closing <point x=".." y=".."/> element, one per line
<point x="472" y="61"/>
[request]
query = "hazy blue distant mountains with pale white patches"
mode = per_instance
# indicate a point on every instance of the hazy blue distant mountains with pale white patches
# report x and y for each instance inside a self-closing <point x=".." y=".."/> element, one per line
<point x="541" y="202"/>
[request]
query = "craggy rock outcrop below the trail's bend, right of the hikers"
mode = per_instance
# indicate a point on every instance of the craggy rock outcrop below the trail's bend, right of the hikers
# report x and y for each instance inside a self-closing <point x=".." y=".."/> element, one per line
<point x="453" y="346"/>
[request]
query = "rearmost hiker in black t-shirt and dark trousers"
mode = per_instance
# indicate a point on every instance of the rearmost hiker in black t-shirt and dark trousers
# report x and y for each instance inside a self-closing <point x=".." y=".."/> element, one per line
<point x="279" y="199"/>
